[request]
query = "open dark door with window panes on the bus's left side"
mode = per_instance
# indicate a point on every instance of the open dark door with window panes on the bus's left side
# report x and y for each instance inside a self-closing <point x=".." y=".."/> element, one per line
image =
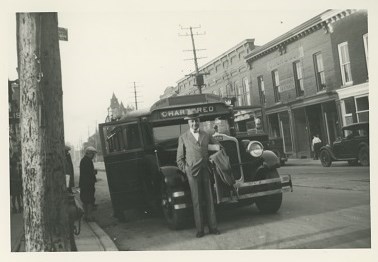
<point x="123" y="157"/>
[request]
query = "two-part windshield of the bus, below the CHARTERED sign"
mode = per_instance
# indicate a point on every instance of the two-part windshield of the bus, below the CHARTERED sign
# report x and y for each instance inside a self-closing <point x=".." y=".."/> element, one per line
<point x="164" y="133"/>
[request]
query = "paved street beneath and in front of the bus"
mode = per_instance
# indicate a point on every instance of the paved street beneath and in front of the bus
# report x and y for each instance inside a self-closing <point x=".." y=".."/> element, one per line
<point x="329" y="208"/>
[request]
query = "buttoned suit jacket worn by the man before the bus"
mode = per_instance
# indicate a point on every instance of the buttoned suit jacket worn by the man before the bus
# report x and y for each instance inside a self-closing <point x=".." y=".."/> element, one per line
<point x="193" y="155"/>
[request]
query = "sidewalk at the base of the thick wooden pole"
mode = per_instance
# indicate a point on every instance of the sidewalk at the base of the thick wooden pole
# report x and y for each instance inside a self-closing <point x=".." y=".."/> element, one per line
<point x="91" y="237"/>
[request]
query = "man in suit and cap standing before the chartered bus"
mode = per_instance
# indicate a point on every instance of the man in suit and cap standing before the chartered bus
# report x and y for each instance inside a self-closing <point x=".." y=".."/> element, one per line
<point x="193" y="159"/>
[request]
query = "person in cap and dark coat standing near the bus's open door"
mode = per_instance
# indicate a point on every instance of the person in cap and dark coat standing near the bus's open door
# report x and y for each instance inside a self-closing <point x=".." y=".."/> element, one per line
<point x="87" y="182"/>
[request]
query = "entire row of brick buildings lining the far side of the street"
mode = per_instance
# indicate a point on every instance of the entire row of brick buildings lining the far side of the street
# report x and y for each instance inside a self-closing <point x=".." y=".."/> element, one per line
<point x="311" y="80"/>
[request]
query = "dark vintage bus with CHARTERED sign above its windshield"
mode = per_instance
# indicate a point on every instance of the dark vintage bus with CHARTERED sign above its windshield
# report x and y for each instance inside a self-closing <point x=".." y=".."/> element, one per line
<point x="140" y="160"/>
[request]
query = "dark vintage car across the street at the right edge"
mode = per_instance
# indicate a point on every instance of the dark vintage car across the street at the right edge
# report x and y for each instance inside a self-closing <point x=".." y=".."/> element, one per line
<point x="353" y="146"/>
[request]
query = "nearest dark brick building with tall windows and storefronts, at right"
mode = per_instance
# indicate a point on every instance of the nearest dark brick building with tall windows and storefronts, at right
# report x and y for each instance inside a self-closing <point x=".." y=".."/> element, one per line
<point x="313" y="79"/>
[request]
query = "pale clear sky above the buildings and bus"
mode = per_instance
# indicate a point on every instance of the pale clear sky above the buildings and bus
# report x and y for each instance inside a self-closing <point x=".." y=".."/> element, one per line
<point x="110" y="49"/>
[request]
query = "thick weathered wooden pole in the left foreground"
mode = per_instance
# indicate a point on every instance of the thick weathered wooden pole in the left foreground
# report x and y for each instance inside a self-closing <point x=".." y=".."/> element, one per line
<point x="42" y="133"/>
